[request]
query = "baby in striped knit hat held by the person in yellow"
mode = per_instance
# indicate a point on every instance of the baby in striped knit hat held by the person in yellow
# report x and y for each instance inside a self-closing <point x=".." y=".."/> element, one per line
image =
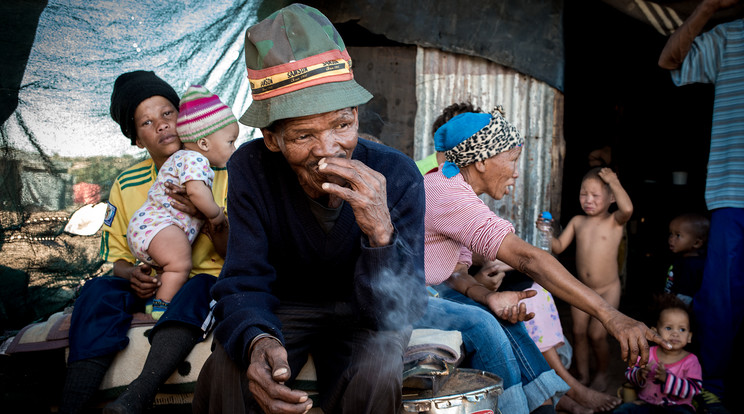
<point x="160" y="235"/>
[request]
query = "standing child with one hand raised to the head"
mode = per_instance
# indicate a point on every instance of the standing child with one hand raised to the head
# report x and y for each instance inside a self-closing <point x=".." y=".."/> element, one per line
<point x="598" y="236"/>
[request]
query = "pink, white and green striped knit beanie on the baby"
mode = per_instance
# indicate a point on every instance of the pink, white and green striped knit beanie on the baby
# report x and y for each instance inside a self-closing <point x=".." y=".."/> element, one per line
<point x="201" y="114"/>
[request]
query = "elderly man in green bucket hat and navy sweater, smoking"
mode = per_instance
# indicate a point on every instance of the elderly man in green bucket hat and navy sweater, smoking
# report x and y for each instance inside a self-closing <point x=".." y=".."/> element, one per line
<point x="325" y="254"/>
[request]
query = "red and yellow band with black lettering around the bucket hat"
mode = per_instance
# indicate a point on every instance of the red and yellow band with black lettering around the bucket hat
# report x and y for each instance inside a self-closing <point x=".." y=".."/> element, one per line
<point x="327" y="67"/>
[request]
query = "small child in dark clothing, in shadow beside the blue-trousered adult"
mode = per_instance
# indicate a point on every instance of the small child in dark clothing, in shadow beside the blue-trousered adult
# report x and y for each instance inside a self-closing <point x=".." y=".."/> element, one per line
<point x="687" y="236"/>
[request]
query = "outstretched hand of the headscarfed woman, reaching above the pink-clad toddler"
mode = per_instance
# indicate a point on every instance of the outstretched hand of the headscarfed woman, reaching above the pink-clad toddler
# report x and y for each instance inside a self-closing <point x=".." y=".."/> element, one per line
<point x="633" y="337"/>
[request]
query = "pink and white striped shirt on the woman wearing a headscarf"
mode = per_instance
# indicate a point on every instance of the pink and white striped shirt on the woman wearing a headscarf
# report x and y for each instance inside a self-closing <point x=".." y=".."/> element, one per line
<point x="456" y="223"/>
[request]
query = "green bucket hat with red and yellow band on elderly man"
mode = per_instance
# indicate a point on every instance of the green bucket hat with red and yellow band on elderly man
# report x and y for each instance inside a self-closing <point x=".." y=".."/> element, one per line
<point x="297" y="66"/>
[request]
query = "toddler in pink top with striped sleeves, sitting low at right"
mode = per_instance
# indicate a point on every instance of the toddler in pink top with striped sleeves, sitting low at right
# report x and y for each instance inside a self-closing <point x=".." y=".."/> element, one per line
<point x="673" y="376"/>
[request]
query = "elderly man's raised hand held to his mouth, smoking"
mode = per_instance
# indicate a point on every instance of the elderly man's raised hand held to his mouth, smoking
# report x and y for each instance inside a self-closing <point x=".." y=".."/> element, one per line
<point x="366" y="192"/>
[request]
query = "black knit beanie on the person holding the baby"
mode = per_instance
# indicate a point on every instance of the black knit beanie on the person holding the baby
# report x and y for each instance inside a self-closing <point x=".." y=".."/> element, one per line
<point x="130" y="89"/>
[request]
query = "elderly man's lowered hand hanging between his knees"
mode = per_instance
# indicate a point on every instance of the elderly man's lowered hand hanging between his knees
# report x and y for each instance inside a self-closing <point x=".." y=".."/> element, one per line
<point x="267" y="373"/>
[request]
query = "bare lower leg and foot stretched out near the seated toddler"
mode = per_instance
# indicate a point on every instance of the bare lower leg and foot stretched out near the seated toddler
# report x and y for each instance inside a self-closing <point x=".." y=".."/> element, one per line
<point x="581" y="399"/>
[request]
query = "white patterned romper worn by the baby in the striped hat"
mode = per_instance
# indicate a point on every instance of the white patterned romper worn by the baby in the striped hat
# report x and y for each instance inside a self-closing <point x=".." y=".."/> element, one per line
<point x="157" y="213"/>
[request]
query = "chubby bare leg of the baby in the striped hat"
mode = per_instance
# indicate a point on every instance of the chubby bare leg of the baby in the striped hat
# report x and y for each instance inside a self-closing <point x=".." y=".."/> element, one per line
<point x="171" y="249"/>
